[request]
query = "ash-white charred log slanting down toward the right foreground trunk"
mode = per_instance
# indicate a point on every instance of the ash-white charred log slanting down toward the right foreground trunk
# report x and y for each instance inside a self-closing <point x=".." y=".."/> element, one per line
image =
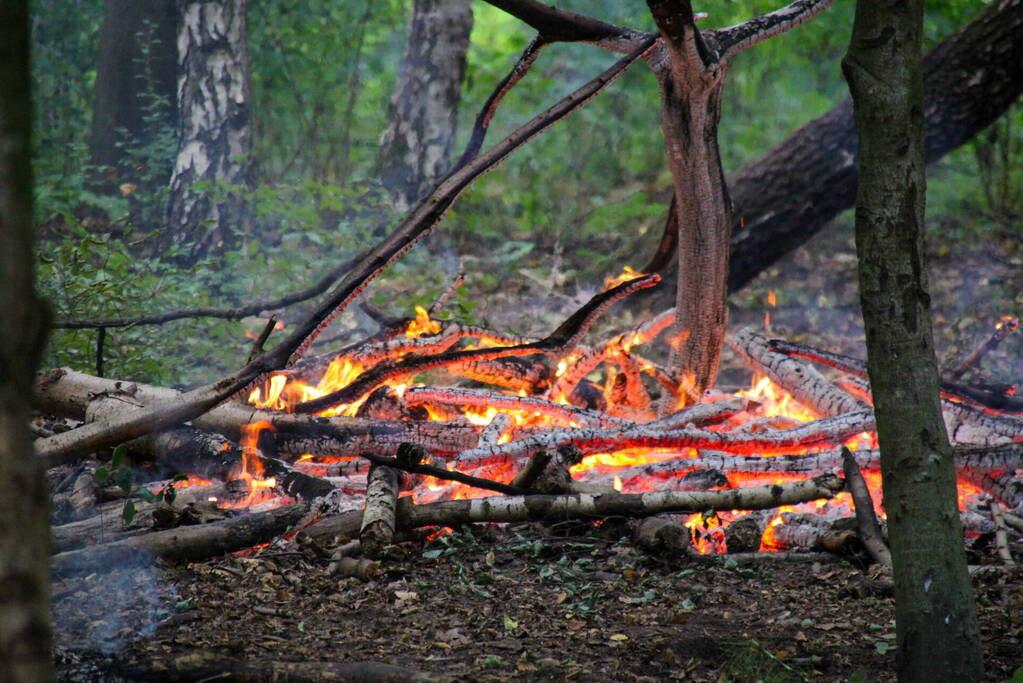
<point x="803" y="382"/>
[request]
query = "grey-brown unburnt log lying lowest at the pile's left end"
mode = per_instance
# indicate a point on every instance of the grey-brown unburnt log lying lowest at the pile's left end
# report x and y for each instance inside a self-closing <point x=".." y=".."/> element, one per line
<point x="182" y="544"/>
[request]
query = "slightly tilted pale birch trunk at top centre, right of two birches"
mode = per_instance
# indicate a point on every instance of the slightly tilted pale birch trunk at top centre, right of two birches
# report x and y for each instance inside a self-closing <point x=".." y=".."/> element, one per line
<point x="416" y="148"/>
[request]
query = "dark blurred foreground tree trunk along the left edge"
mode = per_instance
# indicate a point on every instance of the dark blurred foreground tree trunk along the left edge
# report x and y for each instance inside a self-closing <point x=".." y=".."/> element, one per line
<point x="25" y="619"/>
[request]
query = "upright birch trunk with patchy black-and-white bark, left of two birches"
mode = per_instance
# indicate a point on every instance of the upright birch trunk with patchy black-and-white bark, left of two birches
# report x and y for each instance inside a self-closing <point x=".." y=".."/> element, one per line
<point x="215" y="138"/>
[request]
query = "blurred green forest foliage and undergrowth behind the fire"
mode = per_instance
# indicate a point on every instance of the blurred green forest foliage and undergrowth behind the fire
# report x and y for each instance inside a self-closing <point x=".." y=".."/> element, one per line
<point x="562" y="214"/>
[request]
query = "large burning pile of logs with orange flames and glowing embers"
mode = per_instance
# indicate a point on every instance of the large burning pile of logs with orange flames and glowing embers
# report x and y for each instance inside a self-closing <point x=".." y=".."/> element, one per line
<point x="434" y="424"/>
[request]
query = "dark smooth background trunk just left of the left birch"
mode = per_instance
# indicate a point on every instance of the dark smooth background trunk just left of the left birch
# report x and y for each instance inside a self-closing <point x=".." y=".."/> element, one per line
<point x="137" y="83"/>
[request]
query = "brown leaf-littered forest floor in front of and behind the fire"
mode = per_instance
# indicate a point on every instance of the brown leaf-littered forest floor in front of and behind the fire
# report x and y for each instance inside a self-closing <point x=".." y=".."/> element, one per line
<point x="572" y="603"/>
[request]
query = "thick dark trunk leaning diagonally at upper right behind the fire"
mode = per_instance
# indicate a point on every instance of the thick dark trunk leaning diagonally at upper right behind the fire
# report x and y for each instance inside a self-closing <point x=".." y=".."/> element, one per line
<point x="788" y="196"/>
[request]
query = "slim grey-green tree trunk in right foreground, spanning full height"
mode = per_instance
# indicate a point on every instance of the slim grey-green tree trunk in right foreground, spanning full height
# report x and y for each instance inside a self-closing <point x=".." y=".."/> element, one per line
<point x="937" y="621"/>
